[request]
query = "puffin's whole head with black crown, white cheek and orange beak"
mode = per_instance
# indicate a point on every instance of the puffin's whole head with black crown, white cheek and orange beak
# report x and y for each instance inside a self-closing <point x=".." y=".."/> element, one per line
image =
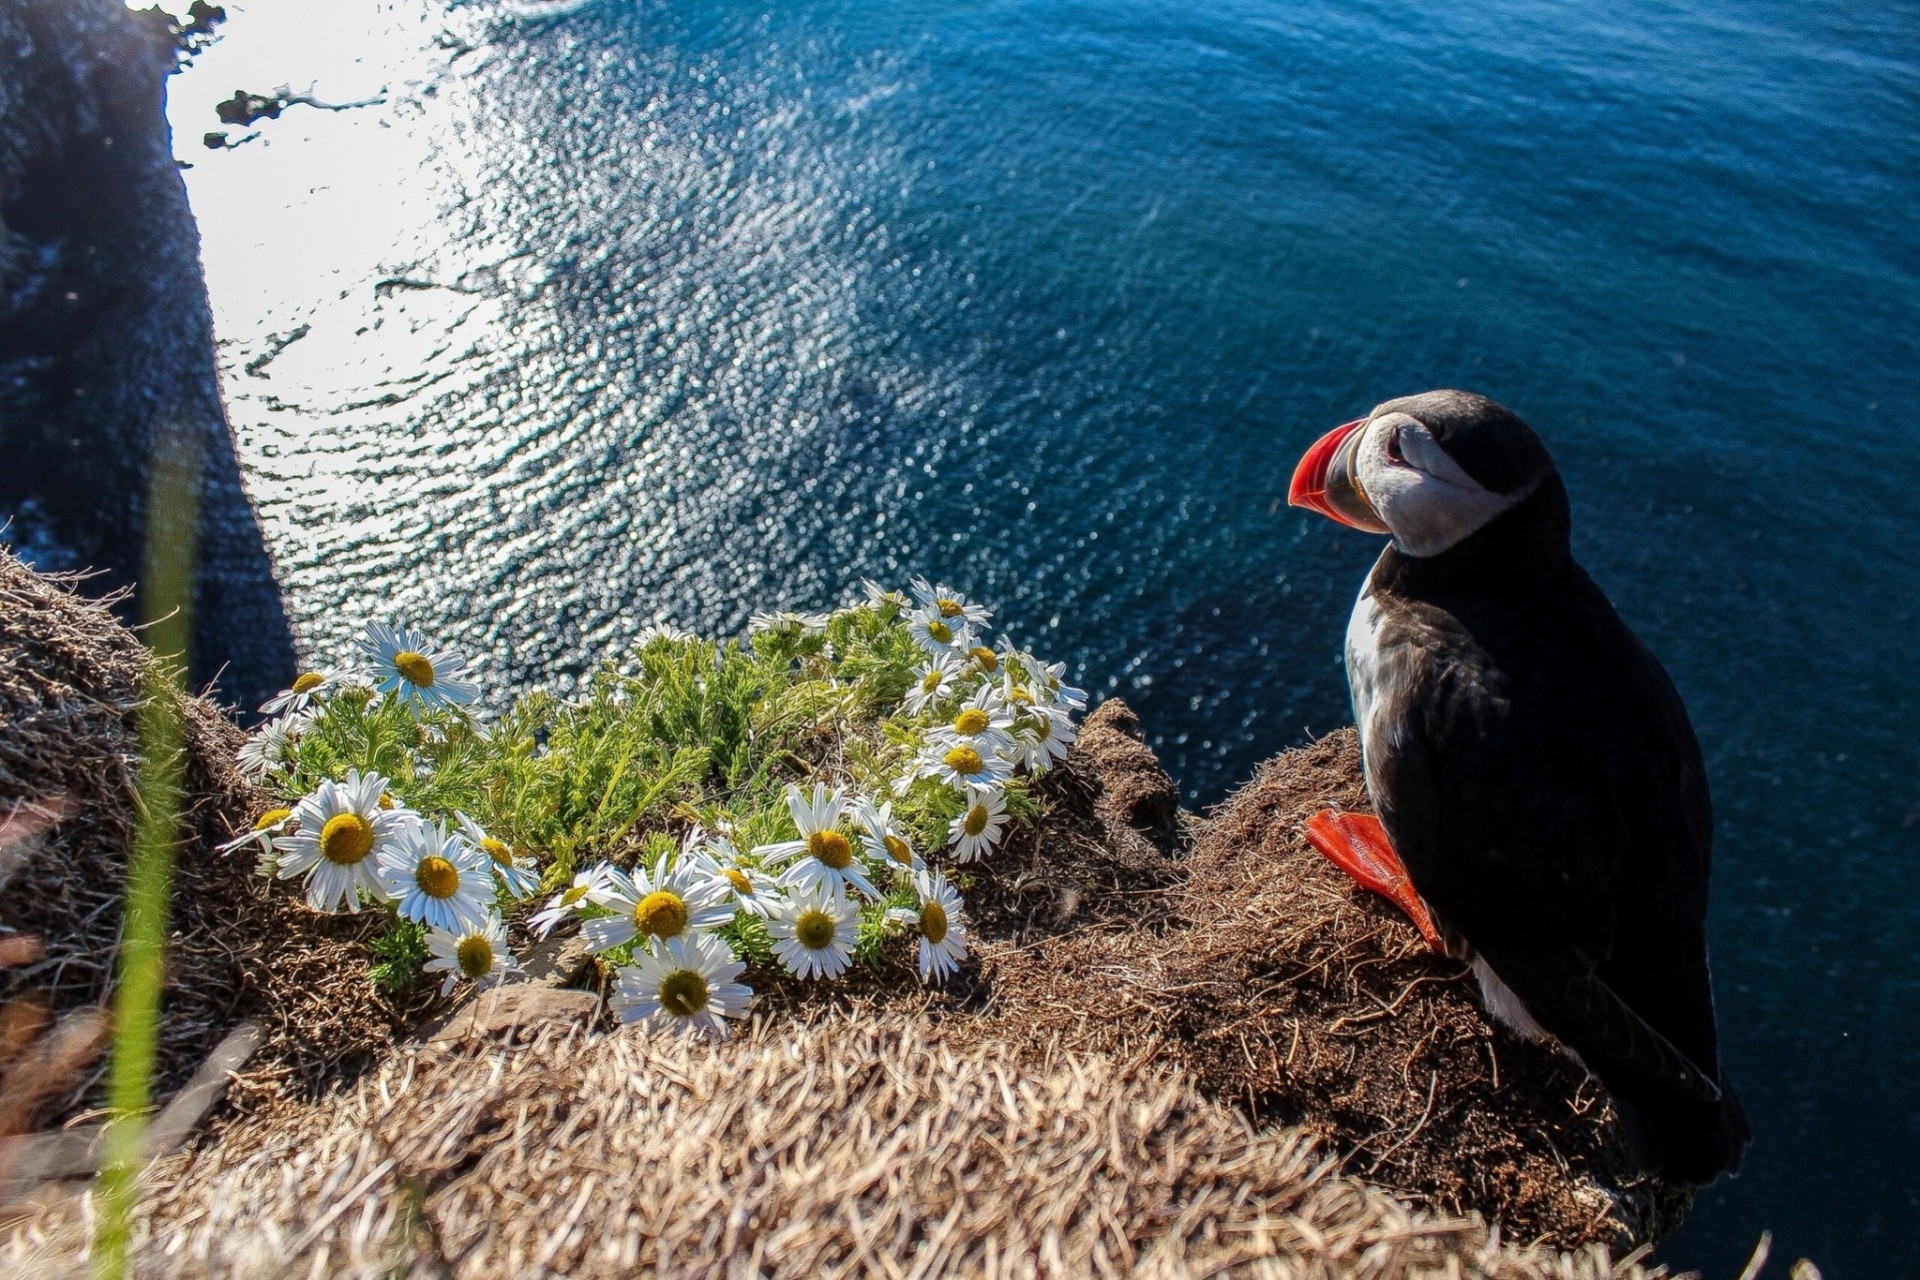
<point x="1429" y="469"/>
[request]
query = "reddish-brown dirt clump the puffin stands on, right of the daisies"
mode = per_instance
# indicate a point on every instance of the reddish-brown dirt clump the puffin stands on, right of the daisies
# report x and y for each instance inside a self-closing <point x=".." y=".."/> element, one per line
<point x="1284" y="989"/>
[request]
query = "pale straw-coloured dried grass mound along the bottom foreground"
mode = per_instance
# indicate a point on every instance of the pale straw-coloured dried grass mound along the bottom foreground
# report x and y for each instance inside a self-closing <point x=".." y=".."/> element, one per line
<point x="857" y="1149"/>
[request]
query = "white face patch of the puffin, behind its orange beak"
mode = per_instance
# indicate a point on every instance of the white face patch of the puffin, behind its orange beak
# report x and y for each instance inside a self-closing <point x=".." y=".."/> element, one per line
<point x="1418" y="490"/>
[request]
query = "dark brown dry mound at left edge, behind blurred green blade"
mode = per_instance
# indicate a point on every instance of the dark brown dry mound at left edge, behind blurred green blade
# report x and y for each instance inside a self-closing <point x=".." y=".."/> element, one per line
<point x="70" y="709"/>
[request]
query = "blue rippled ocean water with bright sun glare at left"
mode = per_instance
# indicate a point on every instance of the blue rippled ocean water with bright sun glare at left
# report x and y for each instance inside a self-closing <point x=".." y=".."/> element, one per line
<point x="635" y="312"/>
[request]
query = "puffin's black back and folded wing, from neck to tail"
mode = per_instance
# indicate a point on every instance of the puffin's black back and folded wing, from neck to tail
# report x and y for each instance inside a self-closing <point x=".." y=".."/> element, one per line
<point x="1543" y="786"/>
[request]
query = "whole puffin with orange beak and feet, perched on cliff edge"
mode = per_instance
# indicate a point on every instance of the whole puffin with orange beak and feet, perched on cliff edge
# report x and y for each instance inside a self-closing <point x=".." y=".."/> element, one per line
<point x="1541" y="801"/>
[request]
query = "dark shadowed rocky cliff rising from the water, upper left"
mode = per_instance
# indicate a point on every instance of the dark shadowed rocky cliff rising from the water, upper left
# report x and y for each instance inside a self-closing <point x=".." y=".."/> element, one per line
<point x="107" y="344"/>
